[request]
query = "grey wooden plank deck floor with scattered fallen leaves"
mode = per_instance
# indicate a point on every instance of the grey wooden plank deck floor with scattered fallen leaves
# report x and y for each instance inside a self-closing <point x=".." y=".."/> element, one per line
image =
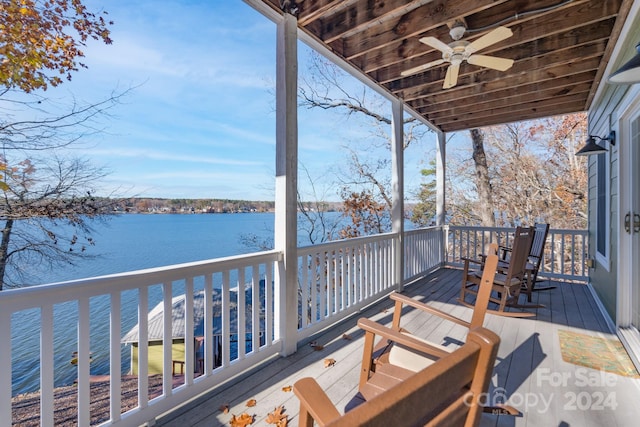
<point x="529" y="372"/>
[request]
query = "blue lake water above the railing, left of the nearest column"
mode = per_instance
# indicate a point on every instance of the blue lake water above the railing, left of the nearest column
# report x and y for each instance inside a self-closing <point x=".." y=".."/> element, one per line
<point x="135" y="241"/>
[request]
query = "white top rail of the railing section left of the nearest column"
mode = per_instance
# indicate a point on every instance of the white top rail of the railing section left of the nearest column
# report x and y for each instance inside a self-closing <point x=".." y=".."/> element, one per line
<point x="20" y="299"/>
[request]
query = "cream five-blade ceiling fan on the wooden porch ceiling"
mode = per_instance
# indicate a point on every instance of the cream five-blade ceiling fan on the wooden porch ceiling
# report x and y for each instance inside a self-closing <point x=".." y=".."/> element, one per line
<point x="460" y="50"/>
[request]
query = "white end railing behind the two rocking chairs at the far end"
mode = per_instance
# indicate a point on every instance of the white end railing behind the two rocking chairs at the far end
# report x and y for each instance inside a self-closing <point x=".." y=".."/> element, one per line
<point x="565" y="254"/>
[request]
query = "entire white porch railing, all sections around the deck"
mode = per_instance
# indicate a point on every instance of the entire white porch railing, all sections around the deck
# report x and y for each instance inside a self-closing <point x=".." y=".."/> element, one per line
<point x="334" y="280"/>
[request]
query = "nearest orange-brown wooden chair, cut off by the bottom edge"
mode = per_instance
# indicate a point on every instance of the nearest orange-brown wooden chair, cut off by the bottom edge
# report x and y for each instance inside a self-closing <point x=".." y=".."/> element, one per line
<point x="447" y="393"/>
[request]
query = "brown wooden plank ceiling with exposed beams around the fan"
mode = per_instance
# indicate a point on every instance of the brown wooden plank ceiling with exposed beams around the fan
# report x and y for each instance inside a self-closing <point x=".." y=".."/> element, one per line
<point x="560" y="49"/>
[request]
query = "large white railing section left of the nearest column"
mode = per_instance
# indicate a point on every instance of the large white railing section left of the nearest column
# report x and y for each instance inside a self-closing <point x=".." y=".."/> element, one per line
<point x="127" y="302"/>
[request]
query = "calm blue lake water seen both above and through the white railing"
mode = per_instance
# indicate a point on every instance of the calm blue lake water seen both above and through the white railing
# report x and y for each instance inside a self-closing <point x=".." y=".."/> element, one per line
<point x="126" y="242"/>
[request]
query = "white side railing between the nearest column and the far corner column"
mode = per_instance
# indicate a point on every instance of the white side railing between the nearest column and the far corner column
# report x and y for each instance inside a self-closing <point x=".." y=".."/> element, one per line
<point x="339" y="278"/>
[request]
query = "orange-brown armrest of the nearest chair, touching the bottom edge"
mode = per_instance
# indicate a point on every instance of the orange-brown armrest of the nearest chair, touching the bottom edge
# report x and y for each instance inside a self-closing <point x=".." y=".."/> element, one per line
<point x="314" y="402"/>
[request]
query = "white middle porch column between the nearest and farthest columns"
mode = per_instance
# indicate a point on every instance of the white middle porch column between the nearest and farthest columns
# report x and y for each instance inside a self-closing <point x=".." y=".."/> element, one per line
<point x="397" y="190"/>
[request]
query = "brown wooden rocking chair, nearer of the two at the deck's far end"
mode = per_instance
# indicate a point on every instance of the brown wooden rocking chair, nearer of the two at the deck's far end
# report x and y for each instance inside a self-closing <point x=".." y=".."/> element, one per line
<point x="508" y="283"/>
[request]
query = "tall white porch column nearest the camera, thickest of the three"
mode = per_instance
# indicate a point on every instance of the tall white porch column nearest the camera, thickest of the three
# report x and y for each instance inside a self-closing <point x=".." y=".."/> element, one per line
<point x="285" y="238"/>
